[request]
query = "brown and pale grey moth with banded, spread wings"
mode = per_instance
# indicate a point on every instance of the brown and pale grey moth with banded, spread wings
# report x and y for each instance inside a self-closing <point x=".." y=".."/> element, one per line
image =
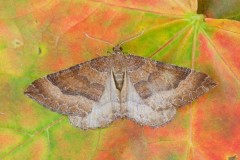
<point x="95" y="93"/>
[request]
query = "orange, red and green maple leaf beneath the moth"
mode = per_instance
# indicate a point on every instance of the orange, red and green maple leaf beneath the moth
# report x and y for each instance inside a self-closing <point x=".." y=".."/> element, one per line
<point x="41" y="37"/>
